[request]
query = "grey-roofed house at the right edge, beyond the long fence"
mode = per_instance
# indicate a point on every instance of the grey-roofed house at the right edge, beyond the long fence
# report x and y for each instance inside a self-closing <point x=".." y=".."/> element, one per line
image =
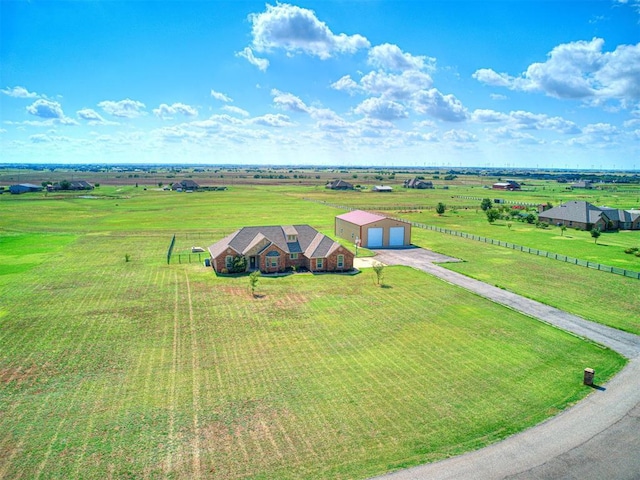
<point x="585" y="216"/>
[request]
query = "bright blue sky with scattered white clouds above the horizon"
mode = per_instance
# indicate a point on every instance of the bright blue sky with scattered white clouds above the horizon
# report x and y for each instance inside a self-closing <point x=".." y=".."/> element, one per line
<point x="335" y="82"/>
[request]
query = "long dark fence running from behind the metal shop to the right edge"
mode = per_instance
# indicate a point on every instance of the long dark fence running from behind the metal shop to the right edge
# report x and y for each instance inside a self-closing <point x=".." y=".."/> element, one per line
<point x="534" y="251"/>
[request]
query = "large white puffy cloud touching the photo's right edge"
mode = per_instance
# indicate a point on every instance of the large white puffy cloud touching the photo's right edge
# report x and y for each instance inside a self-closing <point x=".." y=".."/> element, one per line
<point x="579" y="70"/>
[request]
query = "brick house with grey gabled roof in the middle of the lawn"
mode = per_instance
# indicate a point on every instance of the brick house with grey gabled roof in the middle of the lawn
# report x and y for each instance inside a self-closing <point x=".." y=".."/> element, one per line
<point x="280" y="248"/>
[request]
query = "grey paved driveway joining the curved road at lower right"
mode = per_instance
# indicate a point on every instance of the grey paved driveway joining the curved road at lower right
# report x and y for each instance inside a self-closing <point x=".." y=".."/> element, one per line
<point x="597" y="438"/>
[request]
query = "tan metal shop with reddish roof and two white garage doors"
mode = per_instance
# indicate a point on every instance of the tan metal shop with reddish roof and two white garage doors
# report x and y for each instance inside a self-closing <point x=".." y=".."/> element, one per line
<point x="372" y="230"/>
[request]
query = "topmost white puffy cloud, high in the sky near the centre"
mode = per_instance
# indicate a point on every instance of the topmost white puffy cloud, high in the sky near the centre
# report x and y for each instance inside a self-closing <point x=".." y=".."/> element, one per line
<point x="295" y="29"/>
